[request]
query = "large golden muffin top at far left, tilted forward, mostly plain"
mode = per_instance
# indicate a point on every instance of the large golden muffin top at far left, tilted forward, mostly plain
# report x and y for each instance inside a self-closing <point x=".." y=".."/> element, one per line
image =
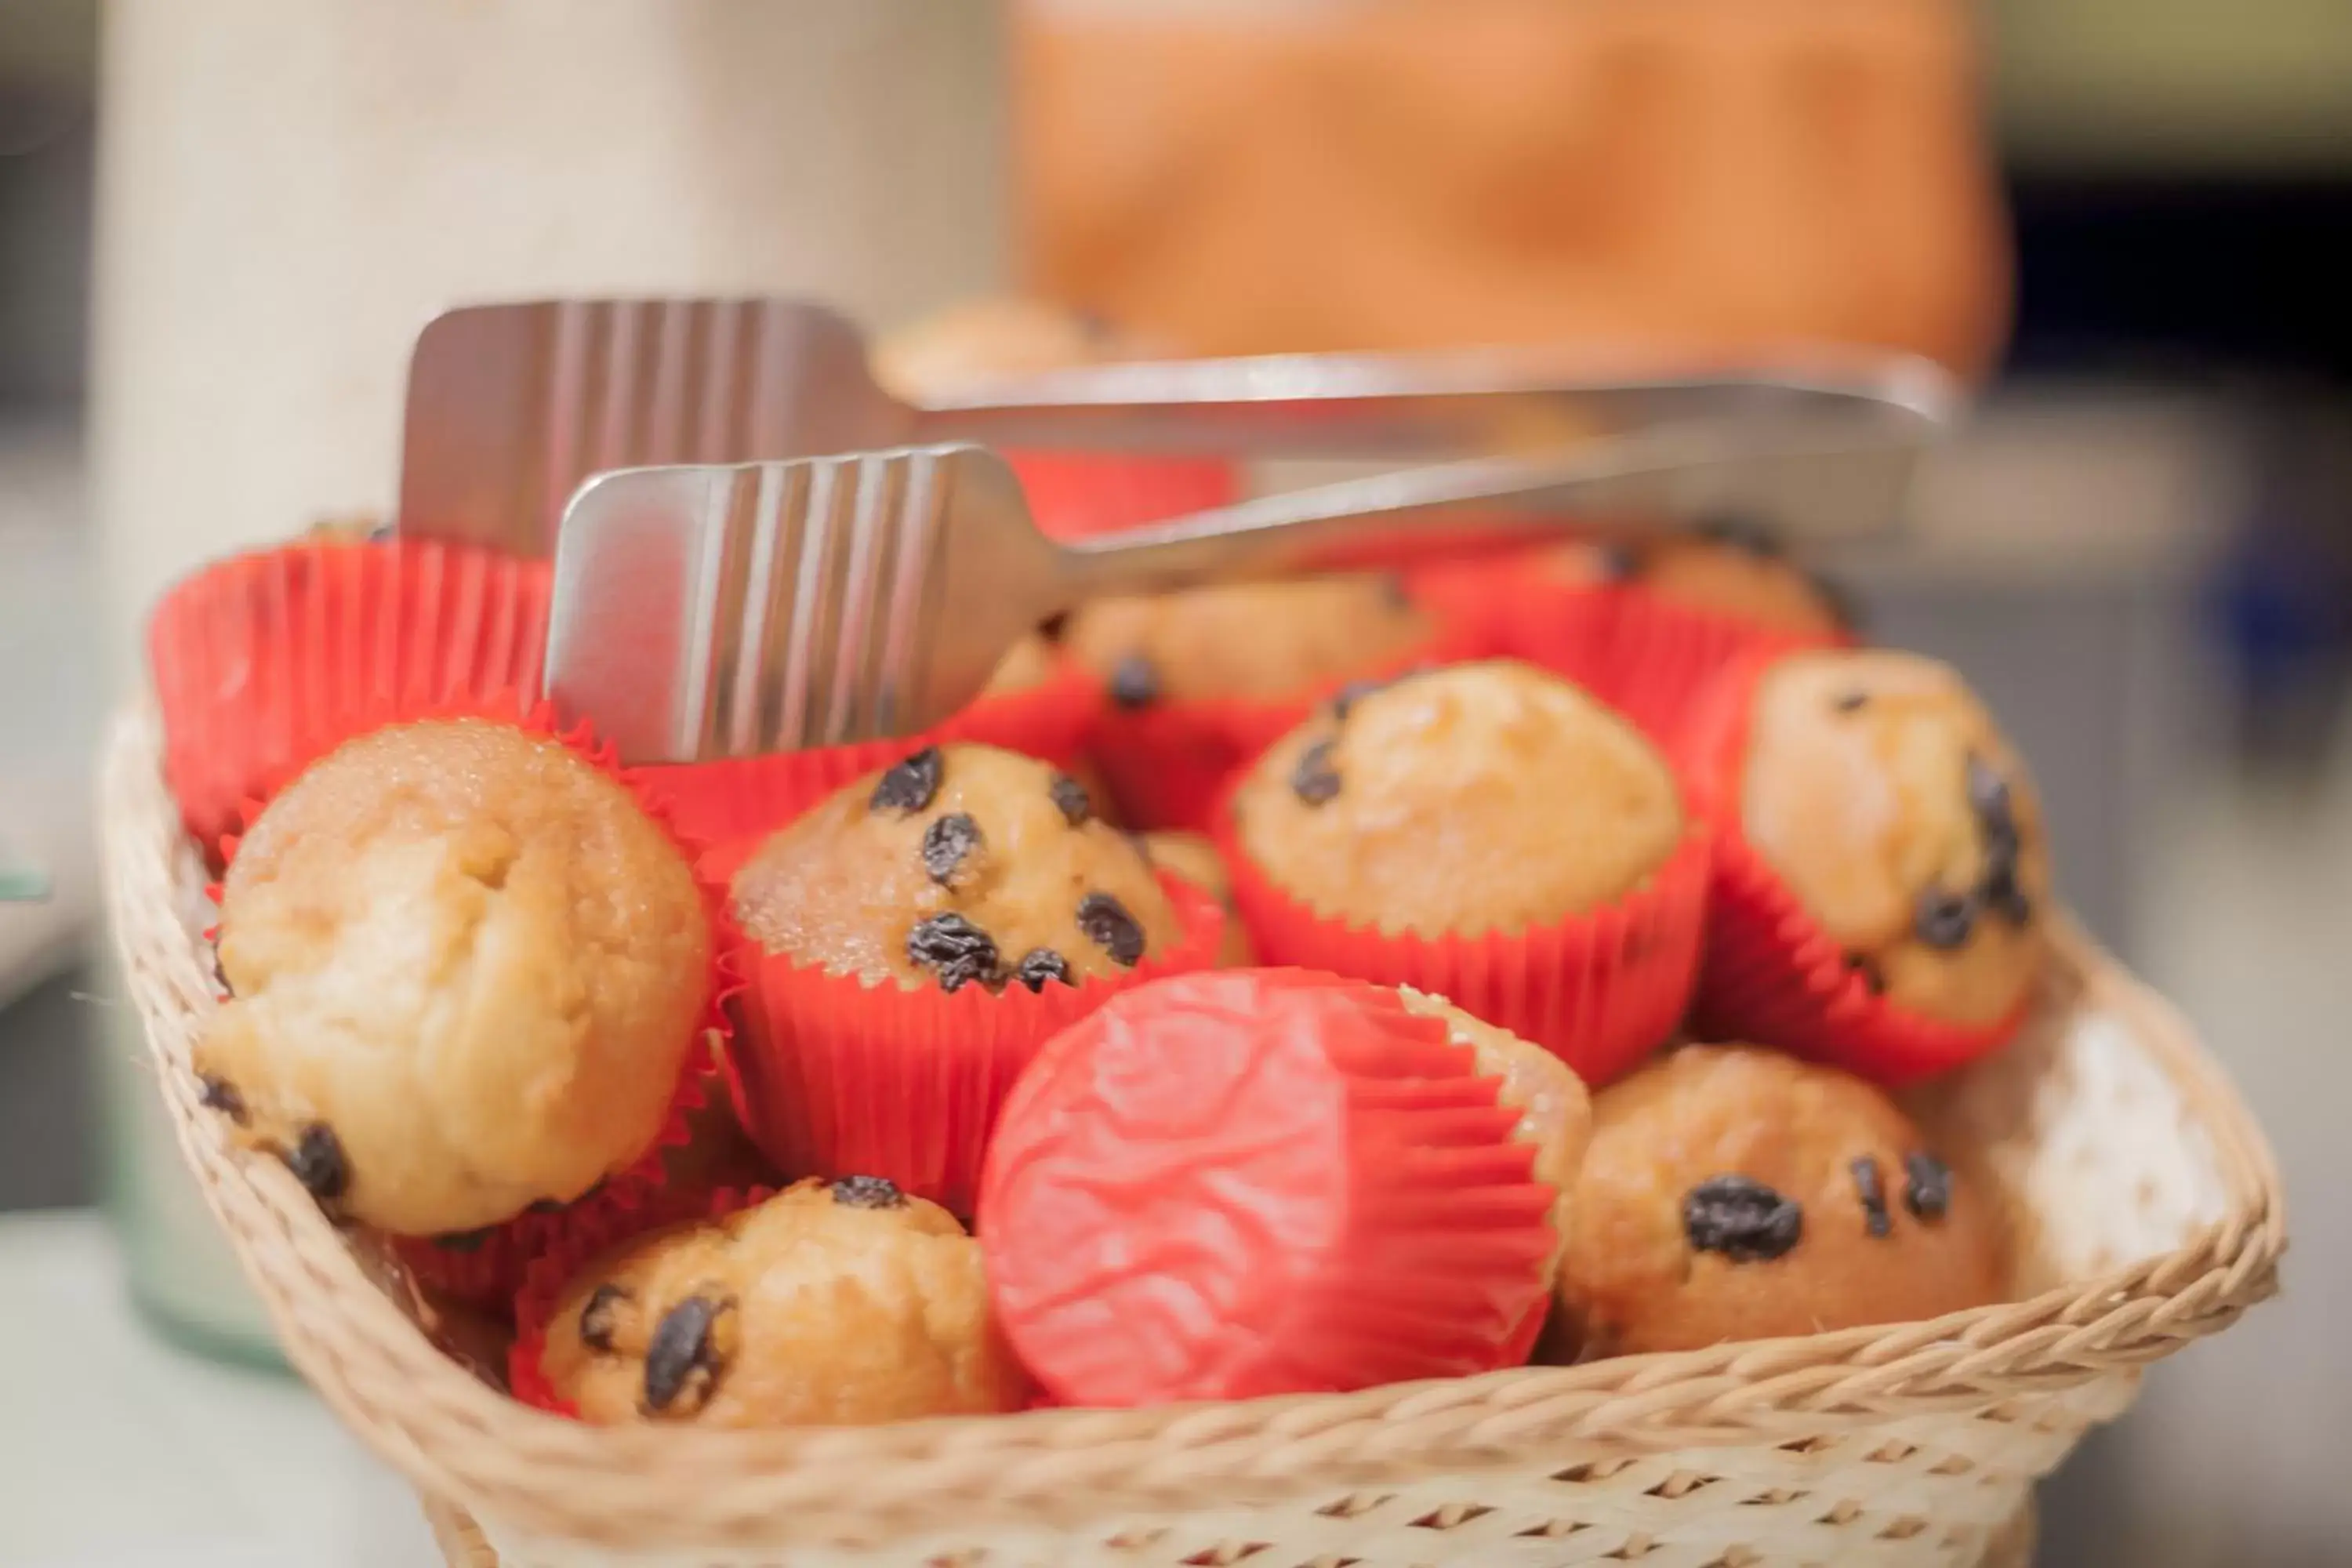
<point x="465" y="977"/>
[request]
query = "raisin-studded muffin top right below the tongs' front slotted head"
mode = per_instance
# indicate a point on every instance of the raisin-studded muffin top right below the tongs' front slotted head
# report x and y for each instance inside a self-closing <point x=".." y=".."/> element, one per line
<point x="958" y="864"/>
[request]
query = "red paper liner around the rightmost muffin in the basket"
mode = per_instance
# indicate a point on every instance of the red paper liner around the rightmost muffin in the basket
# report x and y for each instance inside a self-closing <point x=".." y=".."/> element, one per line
<point x="1772" y="974"/>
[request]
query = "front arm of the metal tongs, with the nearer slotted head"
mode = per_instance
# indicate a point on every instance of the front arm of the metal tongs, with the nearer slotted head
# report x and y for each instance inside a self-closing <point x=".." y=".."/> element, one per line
<point x="721" y="610"/>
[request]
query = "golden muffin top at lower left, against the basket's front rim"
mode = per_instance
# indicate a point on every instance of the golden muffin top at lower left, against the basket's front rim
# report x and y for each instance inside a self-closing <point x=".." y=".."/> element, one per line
<point x="834" y="1304"/>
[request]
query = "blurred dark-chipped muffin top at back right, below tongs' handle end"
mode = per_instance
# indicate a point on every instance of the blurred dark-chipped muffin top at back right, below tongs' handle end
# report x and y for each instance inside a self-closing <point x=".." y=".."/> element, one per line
<point x="1728" y="568"/>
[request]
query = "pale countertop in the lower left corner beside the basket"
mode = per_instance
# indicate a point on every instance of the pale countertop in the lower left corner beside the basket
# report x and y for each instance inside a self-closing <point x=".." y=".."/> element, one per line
<point x="121" y="1452"/>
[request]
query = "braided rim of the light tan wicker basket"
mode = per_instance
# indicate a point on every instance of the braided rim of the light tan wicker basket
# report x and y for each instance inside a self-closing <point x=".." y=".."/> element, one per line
<point x="460" y="1440"/>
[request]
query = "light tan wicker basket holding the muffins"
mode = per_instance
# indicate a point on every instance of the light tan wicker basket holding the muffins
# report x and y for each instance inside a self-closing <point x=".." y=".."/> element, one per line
<point x="2149" y="1217"/>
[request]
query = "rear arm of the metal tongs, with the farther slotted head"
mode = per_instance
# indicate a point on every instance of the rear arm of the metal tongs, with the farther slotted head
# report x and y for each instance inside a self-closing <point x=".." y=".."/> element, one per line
<point x="512" y="408"/>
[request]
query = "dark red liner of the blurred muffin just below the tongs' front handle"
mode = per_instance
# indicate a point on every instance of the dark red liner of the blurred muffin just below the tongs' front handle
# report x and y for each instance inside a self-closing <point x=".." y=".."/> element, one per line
<point x="1168" y="763"/>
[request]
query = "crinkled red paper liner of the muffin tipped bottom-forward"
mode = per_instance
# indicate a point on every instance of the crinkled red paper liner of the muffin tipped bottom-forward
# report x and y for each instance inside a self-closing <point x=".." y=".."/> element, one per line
<point x="1156" y="1167"/>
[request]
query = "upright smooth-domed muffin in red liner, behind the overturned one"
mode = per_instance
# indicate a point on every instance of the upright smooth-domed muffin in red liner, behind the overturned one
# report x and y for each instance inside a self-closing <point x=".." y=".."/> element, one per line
<point x="1485" y="833"/>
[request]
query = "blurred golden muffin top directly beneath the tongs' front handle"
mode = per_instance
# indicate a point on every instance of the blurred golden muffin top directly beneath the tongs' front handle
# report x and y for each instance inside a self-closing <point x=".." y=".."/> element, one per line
<point x="1248" y="641"/>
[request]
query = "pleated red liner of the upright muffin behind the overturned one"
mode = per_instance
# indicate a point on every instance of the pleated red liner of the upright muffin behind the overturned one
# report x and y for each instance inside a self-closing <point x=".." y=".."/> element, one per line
<point x="1598" y="991"/>
